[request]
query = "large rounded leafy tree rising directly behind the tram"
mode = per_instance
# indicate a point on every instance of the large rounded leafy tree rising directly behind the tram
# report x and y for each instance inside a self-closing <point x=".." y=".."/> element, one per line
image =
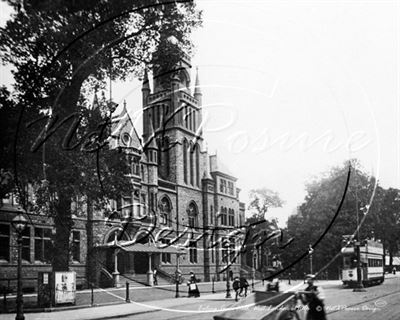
<point x="319" y="209"/>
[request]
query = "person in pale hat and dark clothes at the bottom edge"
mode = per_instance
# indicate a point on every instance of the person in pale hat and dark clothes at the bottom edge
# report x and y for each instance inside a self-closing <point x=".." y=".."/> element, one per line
<point x="313" y="297"/>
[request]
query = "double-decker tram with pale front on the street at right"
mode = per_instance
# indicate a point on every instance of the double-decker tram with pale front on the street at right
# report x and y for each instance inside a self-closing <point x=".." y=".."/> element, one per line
<point x="371" y="258"/>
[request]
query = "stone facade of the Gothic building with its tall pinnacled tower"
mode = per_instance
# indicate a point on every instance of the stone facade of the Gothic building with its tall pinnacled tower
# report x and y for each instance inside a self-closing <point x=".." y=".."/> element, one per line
<point x="177" y="184"/>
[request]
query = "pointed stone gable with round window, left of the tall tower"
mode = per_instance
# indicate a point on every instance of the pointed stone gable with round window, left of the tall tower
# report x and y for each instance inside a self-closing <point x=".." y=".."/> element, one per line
<point x="123" y="133"/>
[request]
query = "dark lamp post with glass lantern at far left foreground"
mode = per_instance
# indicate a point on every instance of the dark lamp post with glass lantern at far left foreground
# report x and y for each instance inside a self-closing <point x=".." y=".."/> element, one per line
<point x="19" y="223"/>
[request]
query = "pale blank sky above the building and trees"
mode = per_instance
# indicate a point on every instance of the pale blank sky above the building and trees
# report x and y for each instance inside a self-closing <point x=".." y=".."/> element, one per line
<point x="292" y="88"/>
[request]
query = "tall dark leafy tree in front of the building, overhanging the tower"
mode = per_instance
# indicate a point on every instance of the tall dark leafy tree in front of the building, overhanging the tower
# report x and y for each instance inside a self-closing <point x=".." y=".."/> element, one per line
<point x="60" y="51"/>
